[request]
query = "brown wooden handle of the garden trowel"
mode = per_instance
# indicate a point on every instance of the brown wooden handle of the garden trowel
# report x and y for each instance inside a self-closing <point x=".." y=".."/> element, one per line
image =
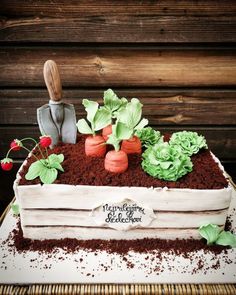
<point x="52" y="80"/>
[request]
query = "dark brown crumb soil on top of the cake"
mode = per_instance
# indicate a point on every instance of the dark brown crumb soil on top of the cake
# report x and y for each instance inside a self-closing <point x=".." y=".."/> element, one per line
<point x="82" y="170"/>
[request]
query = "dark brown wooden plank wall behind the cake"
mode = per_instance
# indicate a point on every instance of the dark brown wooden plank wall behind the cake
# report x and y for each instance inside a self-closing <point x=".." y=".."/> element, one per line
<point x="178" y="57"/>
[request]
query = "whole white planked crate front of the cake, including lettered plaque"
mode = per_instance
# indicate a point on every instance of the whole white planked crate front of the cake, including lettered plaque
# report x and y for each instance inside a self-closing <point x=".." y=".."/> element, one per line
<point x="87" y="212"/>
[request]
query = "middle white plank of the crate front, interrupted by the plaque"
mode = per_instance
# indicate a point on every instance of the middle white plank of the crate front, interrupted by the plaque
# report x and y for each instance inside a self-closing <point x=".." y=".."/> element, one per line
<point x="83" y="218"/>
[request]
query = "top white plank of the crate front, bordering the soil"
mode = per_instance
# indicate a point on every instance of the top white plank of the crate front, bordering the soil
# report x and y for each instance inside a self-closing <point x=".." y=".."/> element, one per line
<point x="88" y="197"/>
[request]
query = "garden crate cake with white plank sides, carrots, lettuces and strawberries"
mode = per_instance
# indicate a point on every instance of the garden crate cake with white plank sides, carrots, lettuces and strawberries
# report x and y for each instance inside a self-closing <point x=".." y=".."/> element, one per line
<point x="121" y="180"/>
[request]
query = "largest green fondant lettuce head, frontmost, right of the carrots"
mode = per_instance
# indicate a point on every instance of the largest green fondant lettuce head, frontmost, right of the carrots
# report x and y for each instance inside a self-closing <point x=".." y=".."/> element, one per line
<point x="166" y="162"/>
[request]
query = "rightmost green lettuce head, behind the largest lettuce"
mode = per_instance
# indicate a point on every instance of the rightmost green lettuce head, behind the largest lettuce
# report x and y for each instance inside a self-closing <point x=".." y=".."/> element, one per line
<point x="190" y="142"/>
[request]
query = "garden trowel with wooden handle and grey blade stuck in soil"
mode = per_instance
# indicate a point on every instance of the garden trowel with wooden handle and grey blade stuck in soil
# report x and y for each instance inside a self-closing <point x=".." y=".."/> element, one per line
<point x="56" y="118"/>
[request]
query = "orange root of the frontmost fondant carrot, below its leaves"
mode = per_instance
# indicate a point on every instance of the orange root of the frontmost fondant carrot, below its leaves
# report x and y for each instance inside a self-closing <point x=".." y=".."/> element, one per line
<point x="116" y="161"/>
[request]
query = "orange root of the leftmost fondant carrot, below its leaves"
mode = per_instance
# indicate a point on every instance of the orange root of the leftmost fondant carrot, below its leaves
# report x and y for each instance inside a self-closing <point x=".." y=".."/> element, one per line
<point x="95" y="146"/>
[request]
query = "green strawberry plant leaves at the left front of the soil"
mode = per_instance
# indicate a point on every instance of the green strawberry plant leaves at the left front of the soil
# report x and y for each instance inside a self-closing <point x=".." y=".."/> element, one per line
<point x="46" y="169"/>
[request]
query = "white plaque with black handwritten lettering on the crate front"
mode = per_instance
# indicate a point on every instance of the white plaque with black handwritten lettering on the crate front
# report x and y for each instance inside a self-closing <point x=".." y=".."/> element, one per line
<point x="123" y="215"/>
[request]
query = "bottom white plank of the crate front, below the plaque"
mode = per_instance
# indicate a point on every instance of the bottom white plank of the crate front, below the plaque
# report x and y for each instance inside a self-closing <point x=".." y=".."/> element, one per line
<point x="41" y="233"/>
